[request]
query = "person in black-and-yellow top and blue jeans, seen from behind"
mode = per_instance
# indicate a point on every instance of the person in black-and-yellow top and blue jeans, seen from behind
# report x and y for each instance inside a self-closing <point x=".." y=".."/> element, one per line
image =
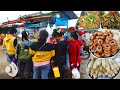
<point x="42" y="53"/>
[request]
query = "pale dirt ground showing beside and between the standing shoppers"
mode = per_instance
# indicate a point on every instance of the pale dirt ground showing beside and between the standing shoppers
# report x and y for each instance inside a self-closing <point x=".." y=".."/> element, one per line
<point x="4" y="63"/>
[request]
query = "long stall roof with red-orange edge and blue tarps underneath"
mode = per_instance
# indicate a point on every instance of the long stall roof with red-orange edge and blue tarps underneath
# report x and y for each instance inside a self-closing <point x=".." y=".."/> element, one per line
<point x="44" y="19"/>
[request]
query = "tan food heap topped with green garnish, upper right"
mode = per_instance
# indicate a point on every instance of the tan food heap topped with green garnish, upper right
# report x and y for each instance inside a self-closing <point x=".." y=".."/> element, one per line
<point x="89" y="20"/>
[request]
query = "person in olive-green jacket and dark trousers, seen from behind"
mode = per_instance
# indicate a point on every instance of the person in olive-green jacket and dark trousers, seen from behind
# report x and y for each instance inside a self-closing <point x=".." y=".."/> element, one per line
<point x="23" y="56"/>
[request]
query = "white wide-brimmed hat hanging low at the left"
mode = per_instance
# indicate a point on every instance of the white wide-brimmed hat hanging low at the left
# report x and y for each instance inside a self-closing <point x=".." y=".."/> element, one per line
<point x="11" y="70"/>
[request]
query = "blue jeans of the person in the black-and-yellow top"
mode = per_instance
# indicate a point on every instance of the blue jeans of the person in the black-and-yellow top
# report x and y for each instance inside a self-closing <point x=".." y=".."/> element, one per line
<point x="41" y="71"/>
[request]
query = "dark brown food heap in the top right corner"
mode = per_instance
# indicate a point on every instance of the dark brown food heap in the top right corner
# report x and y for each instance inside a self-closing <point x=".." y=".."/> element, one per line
<point x="110" y="20"/>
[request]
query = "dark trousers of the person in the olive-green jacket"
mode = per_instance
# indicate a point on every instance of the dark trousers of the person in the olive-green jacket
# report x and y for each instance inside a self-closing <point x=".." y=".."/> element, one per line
<point x="25" y="69"/>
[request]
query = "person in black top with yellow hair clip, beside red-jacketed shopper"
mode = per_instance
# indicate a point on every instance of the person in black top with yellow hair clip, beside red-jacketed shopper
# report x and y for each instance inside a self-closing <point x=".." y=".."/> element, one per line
<point x="60" y="48"/>
